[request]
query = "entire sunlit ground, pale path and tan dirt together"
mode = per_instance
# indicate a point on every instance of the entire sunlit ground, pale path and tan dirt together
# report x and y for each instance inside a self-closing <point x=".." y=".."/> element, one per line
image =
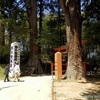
<point x="47" y="88"/>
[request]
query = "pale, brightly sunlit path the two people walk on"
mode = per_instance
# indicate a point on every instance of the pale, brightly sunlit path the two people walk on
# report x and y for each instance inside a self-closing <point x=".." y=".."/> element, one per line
<point x="30" y="88"/>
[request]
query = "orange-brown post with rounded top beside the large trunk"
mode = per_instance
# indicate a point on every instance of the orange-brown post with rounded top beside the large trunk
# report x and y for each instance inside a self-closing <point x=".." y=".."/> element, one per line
<point x="58" y="66"/>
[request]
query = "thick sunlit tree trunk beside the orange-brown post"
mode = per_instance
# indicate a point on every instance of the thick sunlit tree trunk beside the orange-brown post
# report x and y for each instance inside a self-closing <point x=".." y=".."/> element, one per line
<point x="71" y="9"/>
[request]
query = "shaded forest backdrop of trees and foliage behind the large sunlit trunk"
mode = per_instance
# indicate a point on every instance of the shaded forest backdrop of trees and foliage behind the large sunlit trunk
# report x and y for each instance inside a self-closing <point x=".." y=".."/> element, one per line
<point x="16" y="24"/>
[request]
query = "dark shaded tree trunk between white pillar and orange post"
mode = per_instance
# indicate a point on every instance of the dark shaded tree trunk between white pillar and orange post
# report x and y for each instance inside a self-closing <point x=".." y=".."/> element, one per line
<point x="32" y="18"/>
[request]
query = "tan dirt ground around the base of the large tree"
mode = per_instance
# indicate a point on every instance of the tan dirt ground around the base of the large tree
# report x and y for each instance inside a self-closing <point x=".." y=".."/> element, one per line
<point x="67" y="90"/>
